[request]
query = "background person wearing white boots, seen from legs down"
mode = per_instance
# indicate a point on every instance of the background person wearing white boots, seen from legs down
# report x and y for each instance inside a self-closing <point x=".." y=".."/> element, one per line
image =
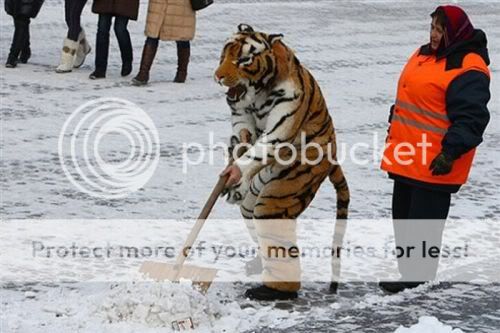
<point x="75" y="46"/>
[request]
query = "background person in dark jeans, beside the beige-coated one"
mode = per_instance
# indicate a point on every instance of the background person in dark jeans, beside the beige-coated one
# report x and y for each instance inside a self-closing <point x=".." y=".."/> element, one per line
<point x="122" y="11"/>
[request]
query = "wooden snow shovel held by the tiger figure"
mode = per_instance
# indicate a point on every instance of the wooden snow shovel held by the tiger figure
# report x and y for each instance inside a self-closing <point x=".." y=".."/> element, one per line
<point x="200" y="276"/>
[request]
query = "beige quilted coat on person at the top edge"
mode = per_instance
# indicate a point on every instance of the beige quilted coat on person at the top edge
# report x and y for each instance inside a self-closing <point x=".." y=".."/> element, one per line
<point x="171" y="20"/>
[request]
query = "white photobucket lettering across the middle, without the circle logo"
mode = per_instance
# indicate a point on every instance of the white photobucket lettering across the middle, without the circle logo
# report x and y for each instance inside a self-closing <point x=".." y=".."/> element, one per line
<point x="307" y="152"/>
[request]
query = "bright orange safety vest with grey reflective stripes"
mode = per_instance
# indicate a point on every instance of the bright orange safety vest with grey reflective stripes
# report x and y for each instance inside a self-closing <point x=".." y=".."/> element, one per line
<point x="420" y="120"/>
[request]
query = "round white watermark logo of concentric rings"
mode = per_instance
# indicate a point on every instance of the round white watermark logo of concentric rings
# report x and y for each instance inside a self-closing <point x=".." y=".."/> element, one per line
<point x="121" y="130"/>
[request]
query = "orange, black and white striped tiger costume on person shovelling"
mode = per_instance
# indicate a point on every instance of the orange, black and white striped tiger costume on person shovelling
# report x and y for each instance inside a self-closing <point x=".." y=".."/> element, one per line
<point x="274" y="100"/>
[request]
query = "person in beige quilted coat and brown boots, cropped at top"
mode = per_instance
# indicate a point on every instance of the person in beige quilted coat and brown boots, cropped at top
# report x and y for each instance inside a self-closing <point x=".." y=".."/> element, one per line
<point x="168" y="20"/>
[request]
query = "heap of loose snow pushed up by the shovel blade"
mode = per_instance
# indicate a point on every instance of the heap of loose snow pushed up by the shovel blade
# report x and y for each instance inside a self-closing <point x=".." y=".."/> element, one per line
<point x="157" y="305"/>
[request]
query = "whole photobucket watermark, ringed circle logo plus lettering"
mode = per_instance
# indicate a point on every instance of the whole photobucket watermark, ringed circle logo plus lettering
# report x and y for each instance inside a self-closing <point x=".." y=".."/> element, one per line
<point x="96" y="165"/>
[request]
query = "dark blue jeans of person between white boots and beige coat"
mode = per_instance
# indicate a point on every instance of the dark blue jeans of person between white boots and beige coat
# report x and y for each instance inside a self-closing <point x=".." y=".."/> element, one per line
<point x="102" y="40"/>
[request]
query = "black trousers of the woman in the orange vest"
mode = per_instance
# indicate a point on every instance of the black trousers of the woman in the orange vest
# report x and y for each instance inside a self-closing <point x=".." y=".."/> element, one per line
<point x="419" y="217"/>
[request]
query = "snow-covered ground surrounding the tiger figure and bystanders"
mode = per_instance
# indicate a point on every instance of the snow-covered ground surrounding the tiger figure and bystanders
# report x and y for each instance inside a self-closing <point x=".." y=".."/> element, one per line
<point x="354" y="49"/>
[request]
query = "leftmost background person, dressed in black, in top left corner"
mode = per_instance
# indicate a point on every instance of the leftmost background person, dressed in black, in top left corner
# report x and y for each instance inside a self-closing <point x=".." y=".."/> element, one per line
<point x="22" y="11"/>
